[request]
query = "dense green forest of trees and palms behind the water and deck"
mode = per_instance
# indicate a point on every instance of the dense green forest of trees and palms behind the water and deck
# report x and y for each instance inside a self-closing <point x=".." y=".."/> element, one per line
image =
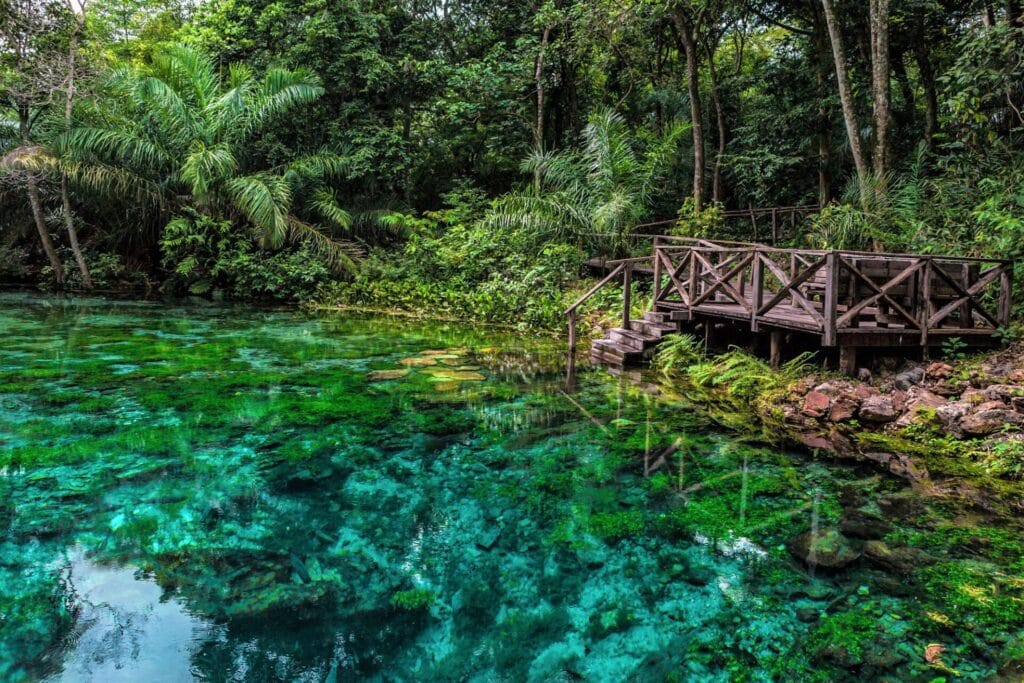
<point x="465" y="156"/>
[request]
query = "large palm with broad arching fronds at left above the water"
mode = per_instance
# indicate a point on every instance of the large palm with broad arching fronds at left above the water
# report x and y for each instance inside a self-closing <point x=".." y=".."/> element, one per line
<point x="177" y="134"/>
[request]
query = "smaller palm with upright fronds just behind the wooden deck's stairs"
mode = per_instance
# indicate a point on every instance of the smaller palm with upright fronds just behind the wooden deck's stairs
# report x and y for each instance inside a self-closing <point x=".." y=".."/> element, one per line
<point x="602" y="192"/>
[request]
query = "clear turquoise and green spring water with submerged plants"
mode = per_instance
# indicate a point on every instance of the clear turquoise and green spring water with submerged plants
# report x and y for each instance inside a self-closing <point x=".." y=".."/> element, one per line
<point x="228" y="494"/>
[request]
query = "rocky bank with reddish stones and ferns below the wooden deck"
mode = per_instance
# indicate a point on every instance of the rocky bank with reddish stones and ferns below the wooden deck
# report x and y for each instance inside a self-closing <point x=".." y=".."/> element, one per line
<point x="955" y="423"/>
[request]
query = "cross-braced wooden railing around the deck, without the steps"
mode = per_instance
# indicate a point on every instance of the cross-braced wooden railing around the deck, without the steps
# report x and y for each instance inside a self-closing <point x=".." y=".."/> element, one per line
<point x="835" y="293"/>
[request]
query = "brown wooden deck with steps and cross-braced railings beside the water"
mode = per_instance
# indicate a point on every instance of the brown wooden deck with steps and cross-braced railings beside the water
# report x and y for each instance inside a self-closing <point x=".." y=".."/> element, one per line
<point x="845" y="300"/>
